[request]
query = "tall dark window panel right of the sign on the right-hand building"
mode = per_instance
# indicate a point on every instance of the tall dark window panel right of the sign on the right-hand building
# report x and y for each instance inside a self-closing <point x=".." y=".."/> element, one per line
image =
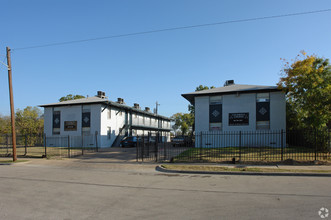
<point x="262" y="111"/>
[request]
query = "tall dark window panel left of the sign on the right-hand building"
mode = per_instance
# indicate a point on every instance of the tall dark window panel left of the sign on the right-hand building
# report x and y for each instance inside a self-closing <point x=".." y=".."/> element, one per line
<point x="215" y="113"/>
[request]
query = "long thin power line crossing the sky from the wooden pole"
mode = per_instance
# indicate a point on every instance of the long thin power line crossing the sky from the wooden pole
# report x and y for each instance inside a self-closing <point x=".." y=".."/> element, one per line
<point x="173" y="29"/>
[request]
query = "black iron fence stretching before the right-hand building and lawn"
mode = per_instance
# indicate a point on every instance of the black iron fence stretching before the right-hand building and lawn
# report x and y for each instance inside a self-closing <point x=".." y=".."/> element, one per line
<point x="257" y="146"/>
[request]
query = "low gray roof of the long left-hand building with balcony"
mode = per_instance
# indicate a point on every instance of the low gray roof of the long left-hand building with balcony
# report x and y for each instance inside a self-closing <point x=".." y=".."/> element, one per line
<point x="97" y="100"/>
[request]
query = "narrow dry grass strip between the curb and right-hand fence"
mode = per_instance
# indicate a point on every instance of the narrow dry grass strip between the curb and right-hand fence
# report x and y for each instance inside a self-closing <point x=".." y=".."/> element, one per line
<point x="237" y="169"/>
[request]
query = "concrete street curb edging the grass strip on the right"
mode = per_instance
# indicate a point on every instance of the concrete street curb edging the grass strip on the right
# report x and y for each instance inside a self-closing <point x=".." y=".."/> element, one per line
<point x="161" y="169"/>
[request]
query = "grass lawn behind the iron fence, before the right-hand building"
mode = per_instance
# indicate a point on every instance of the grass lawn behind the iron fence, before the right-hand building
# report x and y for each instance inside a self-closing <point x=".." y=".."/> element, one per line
<point x="249" y="154"/>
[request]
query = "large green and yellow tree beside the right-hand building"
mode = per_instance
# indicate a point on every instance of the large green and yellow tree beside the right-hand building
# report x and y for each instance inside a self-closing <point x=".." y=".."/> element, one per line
<point x="307" y="83"/>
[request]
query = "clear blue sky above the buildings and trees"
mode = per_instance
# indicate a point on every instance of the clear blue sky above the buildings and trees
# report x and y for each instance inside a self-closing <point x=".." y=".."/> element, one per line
<point x="151" y="67"/>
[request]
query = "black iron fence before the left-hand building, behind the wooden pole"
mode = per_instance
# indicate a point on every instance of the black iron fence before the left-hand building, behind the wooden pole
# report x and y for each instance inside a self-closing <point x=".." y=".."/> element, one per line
<point x="42" y="146"/>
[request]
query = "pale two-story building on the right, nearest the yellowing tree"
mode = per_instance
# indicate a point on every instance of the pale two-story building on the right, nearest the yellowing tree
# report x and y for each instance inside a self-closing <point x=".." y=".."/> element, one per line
<point x="236" y="107"/>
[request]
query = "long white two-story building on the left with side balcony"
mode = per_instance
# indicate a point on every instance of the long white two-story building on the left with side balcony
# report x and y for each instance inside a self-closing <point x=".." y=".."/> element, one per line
<point x="100" y="121"/>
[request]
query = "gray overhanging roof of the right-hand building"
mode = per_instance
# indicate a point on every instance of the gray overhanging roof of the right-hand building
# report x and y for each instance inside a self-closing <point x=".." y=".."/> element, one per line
<point x="231" y="89"/>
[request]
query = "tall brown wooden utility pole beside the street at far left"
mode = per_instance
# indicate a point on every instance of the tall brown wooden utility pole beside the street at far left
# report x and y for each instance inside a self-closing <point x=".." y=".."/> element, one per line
<point x="11" y="105"/>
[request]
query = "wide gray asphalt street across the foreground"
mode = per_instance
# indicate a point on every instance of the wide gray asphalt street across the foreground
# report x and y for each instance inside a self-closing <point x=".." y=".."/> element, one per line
<point x="100" y="190"/>
